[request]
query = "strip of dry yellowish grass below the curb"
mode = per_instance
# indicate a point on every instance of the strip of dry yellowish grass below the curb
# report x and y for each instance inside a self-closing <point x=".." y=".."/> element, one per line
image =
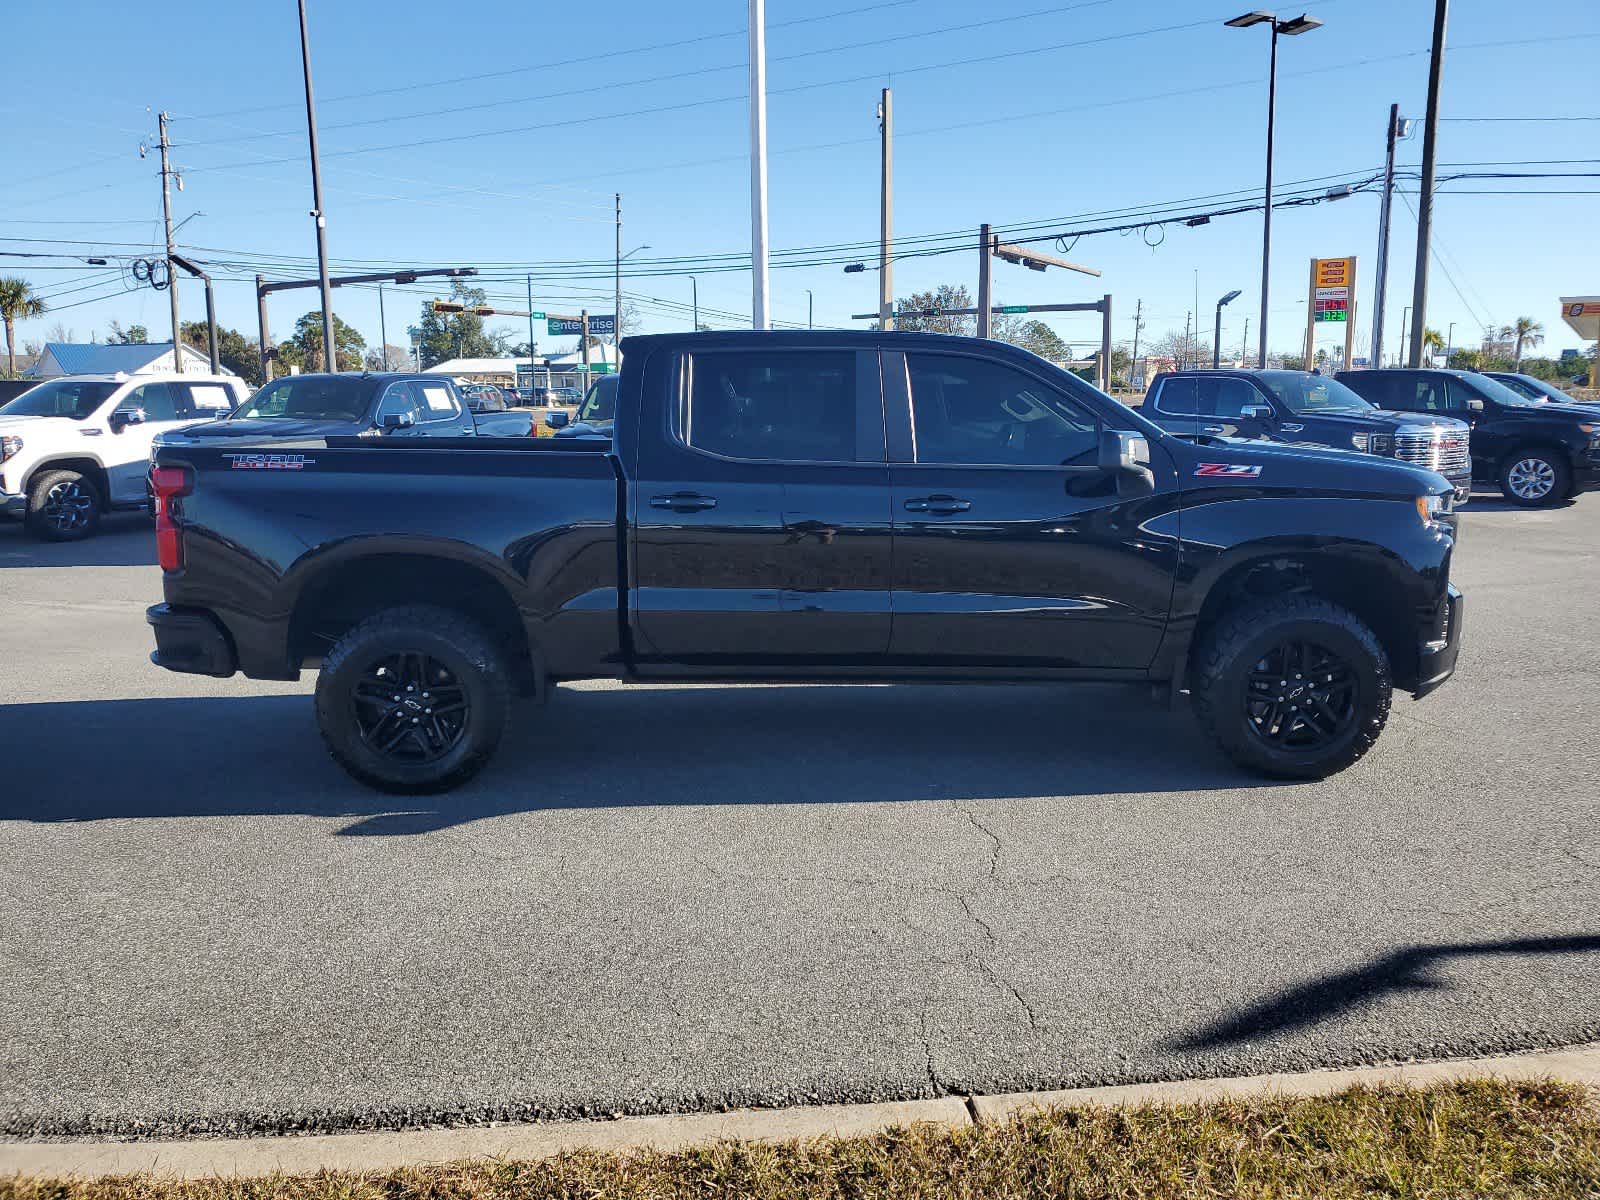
<point x="1468" y="1140"/>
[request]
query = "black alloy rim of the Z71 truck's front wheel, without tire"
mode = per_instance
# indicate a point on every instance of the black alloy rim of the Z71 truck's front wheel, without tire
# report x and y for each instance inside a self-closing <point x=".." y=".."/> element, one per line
<point x="1302" y="697"/>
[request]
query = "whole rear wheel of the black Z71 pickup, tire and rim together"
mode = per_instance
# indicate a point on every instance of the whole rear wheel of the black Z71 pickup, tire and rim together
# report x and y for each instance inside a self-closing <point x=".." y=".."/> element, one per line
<point x="396" y="742"/>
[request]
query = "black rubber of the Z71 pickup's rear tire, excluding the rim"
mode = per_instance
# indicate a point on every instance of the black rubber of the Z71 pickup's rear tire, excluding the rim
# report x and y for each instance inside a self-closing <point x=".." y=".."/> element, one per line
<point x="444" y="636"/>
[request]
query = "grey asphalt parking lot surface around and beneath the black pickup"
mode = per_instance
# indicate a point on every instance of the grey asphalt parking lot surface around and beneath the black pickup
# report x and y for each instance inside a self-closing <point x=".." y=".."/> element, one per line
<point x="682" y="898"/>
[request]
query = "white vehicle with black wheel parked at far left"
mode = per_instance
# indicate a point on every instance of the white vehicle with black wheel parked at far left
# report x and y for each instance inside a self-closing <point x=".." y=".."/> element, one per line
<point x="79" y="447"/>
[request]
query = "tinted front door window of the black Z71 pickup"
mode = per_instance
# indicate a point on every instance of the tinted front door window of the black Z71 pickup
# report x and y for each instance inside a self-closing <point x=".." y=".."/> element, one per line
<point x="970" y="412"/>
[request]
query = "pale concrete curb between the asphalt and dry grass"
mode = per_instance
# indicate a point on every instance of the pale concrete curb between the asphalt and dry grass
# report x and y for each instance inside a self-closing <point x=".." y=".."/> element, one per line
<point x="242" y="1158"/>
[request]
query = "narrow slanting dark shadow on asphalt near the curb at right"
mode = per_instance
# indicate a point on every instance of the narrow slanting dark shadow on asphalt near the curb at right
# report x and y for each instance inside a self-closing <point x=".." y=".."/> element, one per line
<point x="1409" y="970"/>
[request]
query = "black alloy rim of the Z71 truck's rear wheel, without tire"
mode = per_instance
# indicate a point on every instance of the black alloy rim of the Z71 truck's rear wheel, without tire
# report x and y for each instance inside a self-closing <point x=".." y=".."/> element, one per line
<point x="410" y="708"/>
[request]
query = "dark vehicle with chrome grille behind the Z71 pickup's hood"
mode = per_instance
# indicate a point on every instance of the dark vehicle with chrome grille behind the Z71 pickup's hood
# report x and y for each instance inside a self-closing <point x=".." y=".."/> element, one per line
<point x="1305" y="409"/>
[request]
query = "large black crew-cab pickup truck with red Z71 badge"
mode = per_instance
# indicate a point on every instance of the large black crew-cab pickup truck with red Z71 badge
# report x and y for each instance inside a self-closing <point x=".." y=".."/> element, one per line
<point x="810" y="506"/>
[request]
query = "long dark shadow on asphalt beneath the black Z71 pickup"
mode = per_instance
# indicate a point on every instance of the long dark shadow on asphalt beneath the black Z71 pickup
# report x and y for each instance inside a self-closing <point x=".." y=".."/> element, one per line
<point x="615" y="748"/>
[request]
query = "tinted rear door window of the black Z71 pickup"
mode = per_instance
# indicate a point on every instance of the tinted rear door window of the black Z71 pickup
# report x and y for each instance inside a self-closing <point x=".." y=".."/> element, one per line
<point x="796" y="407"/>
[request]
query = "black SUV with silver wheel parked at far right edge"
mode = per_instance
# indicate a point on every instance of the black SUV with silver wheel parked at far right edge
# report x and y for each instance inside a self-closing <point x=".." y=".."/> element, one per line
<point x="1538" y="454"/>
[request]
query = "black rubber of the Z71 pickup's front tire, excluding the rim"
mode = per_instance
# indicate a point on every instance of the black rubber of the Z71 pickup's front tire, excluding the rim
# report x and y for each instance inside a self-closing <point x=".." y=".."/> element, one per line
<point x="1238" y="644"/>
